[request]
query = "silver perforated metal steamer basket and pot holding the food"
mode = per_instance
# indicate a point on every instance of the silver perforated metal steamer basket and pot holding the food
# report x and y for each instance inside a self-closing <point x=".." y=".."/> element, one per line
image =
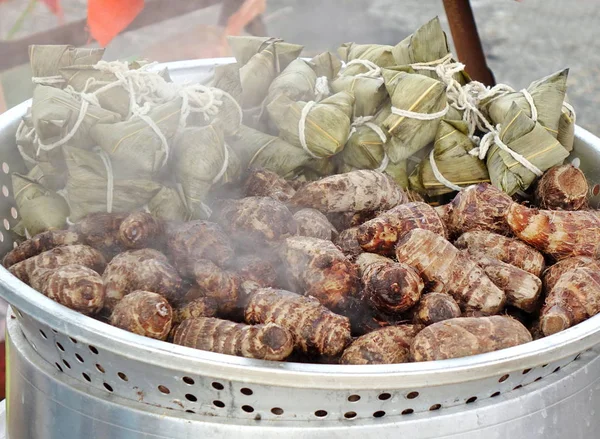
<point x="70" y="376"/>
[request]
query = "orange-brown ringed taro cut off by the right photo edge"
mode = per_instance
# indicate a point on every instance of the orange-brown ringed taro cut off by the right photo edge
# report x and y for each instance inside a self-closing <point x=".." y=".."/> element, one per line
<point x="560" y="234"/>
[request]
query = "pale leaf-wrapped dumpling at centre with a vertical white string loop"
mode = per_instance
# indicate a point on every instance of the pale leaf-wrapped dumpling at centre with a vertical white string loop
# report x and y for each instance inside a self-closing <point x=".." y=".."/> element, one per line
<point x="326" y="123"/>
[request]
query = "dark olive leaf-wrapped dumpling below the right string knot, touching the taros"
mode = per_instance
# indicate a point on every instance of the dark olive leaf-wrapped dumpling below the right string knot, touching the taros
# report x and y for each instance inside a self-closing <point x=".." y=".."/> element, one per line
<point x="451" y="154"/>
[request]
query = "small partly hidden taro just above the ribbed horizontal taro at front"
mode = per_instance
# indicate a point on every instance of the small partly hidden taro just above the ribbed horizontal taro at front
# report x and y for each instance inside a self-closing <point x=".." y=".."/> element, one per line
<point x="220" y="285"/>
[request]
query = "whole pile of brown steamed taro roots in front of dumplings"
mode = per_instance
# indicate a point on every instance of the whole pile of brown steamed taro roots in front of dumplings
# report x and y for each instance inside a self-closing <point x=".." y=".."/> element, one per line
<point x="348" y="269"/>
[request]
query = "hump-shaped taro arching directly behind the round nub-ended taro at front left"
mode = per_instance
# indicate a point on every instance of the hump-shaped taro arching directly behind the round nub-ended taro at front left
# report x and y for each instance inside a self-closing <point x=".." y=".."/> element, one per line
<point x="144" y="269"/>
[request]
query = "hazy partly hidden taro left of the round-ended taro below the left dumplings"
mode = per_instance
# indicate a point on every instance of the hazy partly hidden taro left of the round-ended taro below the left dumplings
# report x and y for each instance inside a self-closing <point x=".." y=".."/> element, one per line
<point x="101" y="231"/>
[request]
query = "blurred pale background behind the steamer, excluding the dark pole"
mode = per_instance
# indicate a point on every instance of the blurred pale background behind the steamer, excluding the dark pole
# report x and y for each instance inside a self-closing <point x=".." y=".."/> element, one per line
<point x="523" y="40"/>
